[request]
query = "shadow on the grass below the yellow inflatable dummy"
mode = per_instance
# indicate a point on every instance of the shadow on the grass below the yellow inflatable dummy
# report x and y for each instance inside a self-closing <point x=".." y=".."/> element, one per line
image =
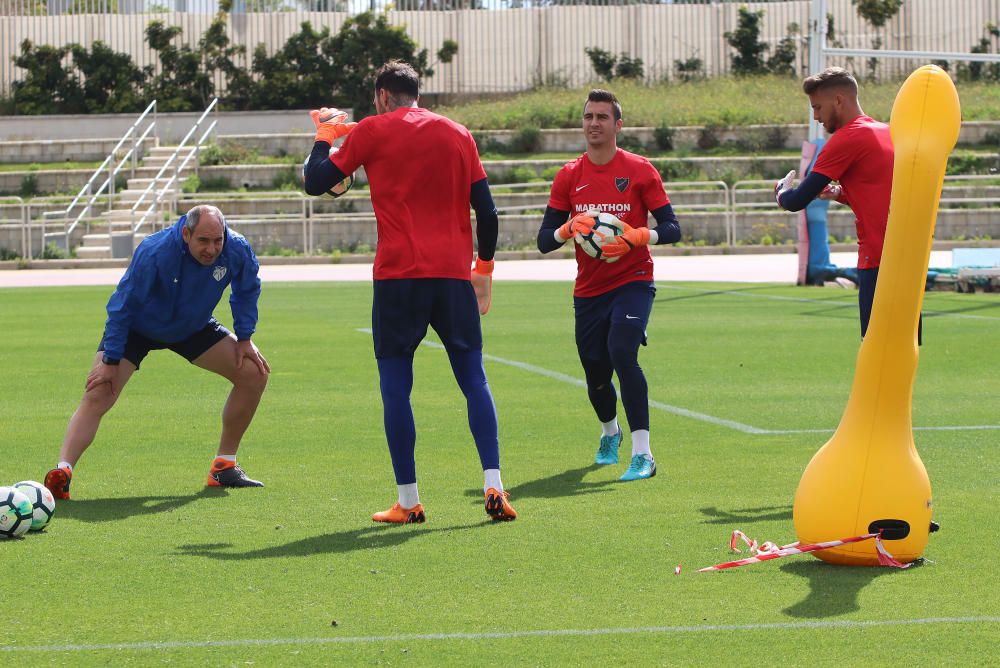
<point x="833" y="590"/>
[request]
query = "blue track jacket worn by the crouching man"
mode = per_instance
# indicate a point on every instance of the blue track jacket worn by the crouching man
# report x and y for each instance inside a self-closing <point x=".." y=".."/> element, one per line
<point x="167" y="295"/>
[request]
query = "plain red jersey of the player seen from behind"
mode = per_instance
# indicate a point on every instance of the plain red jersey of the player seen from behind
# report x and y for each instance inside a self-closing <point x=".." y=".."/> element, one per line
<point x="420" y="168"/>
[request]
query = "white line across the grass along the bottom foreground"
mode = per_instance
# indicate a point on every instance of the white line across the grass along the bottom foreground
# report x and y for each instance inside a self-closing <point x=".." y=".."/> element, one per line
<point x="508" y="635"/>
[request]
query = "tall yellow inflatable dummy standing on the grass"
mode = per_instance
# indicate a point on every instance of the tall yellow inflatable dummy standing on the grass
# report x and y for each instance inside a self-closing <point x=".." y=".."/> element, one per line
<point x="868" y="477"/>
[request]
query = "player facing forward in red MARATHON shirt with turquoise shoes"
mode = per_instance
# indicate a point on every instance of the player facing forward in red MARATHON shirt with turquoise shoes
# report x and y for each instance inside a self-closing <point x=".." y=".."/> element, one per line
<point x="612" y="298"/>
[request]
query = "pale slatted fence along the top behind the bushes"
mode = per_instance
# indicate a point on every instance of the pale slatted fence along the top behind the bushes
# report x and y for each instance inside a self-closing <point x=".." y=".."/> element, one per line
<point x="510" y="45"/>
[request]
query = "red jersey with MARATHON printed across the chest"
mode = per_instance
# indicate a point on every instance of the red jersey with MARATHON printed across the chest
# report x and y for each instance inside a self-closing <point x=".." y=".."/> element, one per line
<point x="628" y="187"/>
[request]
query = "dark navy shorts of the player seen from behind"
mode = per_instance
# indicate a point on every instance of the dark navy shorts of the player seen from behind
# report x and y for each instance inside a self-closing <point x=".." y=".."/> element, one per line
<point x="402" y="309"/>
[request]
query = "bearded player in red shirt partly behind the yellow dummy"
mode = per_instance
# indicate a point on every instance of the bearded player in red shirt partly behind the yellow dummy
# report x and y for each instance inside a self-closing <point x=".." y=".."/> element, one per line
<point x="859" y="157"/>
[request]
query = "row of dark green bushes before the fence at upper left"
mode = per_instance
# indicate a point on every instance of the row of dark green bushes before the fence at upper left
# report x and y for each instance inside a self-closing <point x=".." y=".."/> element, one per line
<point x="313" y="68"/>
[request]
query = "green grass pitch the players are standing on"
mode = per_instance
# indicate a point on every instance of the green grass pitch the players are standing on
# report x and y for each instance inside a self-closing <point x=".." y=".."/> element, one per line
<point x="145" y="566"/>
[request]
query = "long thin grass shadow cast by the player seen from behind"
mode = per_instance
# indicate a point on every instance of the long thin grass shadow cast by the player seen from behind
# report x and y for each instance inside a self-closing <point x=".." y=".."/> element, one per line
<point x="368" y="538"/>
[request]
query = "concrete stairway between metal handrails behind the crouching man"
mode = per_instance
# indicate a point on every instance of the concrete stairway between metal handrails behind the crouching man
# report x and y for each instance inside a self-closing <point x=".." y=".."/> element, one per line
<point x="111" y="237"/>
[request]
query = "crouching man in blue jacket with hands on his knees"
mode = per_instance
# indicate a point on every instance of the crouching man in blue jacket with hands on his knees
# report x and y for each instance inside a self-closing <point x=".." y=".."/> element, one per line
<point x="165" y="300"/>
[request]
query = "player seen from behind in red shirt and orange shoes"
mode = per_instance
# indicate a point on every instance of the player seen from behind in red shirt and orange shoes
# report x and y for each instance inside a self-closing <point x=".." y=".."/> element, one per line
<point x="424" y="172"/>
